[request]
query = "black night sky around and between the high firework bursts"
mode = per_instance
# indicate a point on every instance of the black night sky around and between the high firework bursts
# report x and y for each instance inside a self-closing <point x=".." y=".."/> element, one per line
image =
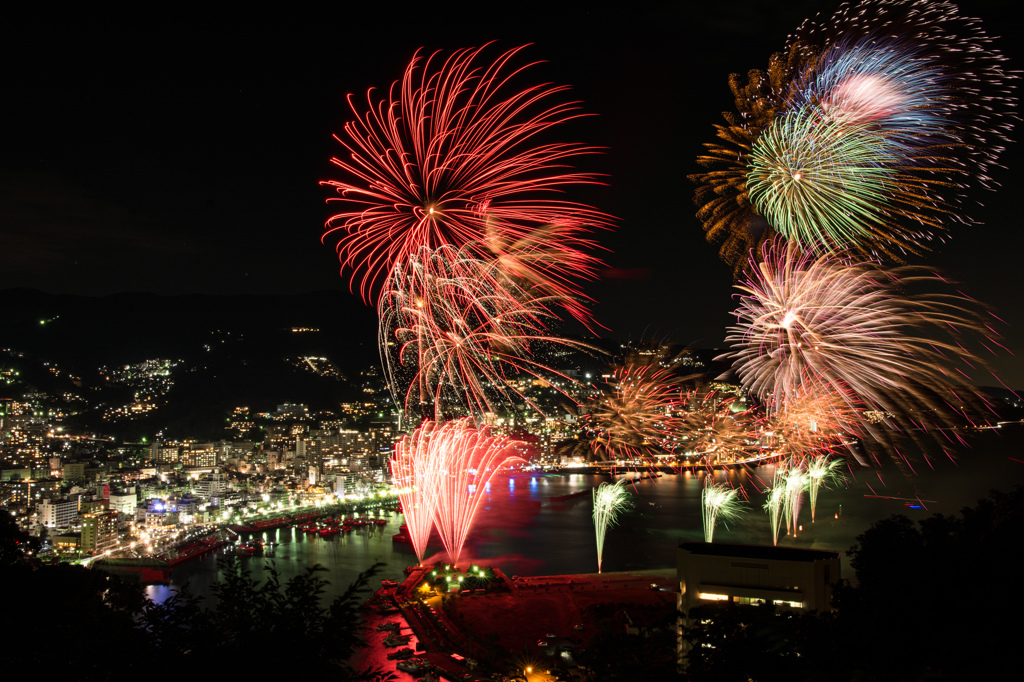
<point x="182" y="153"/>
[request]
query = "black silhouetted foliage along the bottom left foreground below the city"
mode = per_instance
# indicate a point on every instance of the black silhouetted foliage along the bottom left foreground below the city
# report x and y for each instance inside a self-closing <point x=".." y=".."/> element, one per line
<point x="81" y="624"/>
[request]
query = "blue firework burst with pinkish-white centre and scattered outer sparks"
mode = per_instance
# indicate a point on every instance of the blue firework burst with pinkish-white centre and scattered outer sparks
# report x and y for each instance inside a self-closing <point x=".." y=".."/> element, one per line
<point x="923" y="73"/>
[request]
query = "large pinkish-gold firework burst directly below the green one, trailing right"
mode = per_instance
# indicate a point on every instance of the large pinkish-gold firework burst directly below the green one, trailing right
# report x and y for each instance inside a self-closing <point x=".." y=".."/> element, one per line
<point x="852" y="330"/>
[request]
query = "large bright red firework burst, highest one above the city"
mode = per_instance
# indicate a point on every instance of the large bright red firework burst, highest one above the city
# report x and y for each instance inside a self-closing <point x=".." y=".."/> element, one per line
<point x="453" y="157"/>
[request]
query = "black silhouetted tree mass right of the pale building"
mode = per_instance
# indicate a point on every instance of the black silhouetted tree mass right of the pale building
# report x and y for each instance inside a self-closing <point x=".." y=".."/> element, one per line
<point x="932" y="596"/>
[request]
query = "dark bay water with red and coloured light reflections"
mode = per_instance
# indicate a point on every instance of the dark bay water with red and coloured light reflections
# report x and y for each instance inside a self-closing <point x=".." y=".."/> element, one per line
<point x="525" y="532"/>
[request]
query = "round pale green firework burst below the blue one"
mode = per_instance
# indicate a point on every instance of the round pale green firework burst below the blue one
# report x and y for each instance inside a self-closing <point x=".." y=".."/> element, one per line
<point x="822" y="182"/>
